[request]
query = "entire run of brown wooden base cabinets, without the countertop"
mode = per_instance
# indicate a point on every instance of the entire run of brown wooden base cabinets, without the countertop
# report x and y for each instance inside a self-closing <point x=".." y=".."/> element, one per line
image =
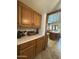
<point x="30" y="49"/>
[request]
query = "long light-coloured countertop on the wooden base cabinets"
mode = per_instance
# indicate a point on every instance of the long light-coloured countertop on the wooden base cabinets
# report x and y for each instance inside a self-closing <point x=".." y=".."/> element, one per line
<point x="28" y="38"/>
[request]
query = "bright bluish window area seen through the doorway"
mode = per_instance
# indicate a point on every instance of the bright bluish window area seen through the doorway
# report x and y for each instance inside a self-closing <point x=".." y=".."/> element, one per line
<point x="54" y="21"/>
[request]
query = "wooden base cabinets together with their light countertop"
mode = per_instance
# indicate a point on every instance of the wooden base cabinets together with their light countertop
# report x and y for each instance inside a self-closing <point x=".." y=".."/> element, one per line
<point x="30" y="46"/>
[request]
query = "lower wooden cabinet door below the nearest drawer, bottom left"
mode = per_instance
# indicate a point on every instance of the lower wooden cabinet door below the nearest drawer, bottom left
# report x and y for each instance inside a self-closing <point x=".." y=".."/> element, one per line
<point x="28" y="53"/>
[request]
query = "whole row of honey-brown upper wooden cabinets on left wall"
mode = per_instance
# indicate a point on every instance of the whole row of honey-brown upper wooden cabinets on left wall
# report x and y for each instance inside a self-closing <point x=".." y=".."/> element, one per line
<point x="26" y="17"/>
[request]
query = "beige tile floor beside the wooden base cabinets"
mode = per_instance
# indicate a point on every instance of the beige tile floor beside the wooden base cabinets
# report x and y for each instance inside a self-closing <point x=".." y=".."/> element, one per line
<point x="51" y="52"/>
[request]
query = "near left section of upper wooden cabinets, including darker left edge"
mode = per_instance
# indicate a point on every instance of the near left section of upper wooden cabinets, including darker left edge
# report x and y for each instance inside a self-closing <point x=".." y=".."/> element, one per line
<point x="24" y="15"/>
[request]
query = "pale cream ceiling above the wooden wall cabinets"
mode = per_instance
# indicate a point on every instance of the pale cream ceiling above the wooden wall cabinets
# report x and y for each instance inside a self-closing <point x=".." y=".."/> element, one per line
<point x="41" y="6"/>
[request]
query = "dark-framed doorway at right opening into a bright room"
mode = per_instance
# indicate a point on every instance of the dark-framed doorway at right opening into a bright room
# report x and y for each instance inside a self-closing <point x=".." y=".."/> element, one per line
<point x="53" y="29"/>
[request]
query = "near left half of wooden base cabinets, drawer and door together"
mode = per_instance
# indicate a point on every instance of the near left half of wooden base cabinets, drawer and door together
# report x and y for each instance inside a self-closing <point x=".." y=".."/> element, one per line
<point x="26" y="50"/>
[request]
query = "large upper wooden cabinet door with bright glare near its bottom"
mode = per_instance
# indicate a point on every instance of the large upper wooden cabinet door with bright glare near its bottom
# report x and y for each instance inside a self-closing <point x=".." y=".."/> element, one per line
<point x="26" y="17"/>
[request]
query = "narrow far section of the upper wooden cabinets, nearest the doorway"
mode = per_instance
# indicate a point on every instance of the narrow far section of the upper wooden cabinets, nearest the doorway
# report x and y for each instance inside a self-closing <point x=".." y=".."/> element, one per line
<point x="37" y="20"/>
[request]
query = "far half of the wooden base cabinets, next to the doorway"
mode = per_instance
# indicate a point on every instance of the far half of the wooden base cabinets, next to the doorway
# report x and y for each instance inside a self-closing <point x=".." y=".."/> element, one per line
<point x="41" y="44"/>
